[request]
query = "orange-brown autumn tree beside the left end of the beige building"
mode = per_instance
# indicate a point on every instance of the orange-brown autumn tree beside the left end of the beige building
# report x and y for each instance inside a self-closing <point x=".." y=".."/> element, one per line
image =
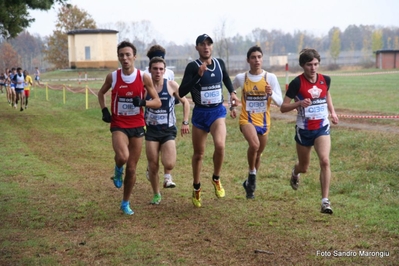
<point x="69" y="18"/>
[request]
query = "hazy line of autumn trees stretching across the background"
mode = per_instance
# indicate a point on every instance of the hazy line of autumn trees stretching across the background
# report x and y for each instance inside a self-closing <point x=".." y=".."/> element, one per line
<point x="51" y="52"/>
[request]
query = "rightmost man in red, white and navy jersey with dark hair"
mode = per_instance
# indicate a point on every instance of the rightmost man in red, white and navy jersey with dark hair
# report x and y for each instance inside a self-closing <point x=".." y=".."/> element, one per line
<point x="310" y="92"/>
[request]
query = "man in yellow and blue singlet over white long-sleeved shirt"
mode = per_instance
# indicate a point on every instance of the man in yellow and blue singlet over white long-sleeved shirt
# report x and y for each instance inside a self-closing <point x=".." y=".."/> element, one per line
<point x="259" y="88"/>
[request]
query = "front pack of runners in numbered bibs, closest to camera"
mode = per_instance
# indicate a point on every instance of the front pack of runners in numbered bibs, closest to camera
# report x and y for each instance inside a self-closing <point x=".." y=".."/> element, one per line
<point x="142" y="107"/>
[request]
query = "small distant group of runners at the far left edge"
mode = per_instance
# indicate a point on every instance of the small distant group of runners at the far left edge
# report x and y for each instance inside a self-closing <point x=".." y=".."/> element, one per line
<point x="16" y="83"/>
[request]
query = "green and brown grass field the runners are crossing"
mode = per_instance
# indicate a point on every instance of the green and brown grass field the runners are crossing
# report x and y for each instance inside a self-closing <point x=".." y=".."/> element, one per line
<point x="59" y="207"/>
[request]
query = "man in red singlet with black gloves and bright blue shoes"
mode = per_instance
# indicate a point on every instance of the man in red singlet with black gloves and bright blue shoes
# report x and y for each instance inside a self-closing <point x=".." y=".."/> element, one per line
<point x="128" y="85"/>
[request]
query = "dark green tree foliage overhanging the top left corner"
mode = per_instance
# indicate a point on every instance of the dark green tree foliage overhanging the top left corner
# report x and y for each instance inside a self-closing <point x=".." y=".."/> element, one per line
<point x="14" y="15"/>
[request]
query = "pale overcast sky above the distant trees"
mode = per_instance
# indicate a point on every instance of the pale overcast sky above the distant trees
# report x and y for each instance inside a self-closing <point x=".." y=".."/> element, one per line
<point x="181" y="21"/>
